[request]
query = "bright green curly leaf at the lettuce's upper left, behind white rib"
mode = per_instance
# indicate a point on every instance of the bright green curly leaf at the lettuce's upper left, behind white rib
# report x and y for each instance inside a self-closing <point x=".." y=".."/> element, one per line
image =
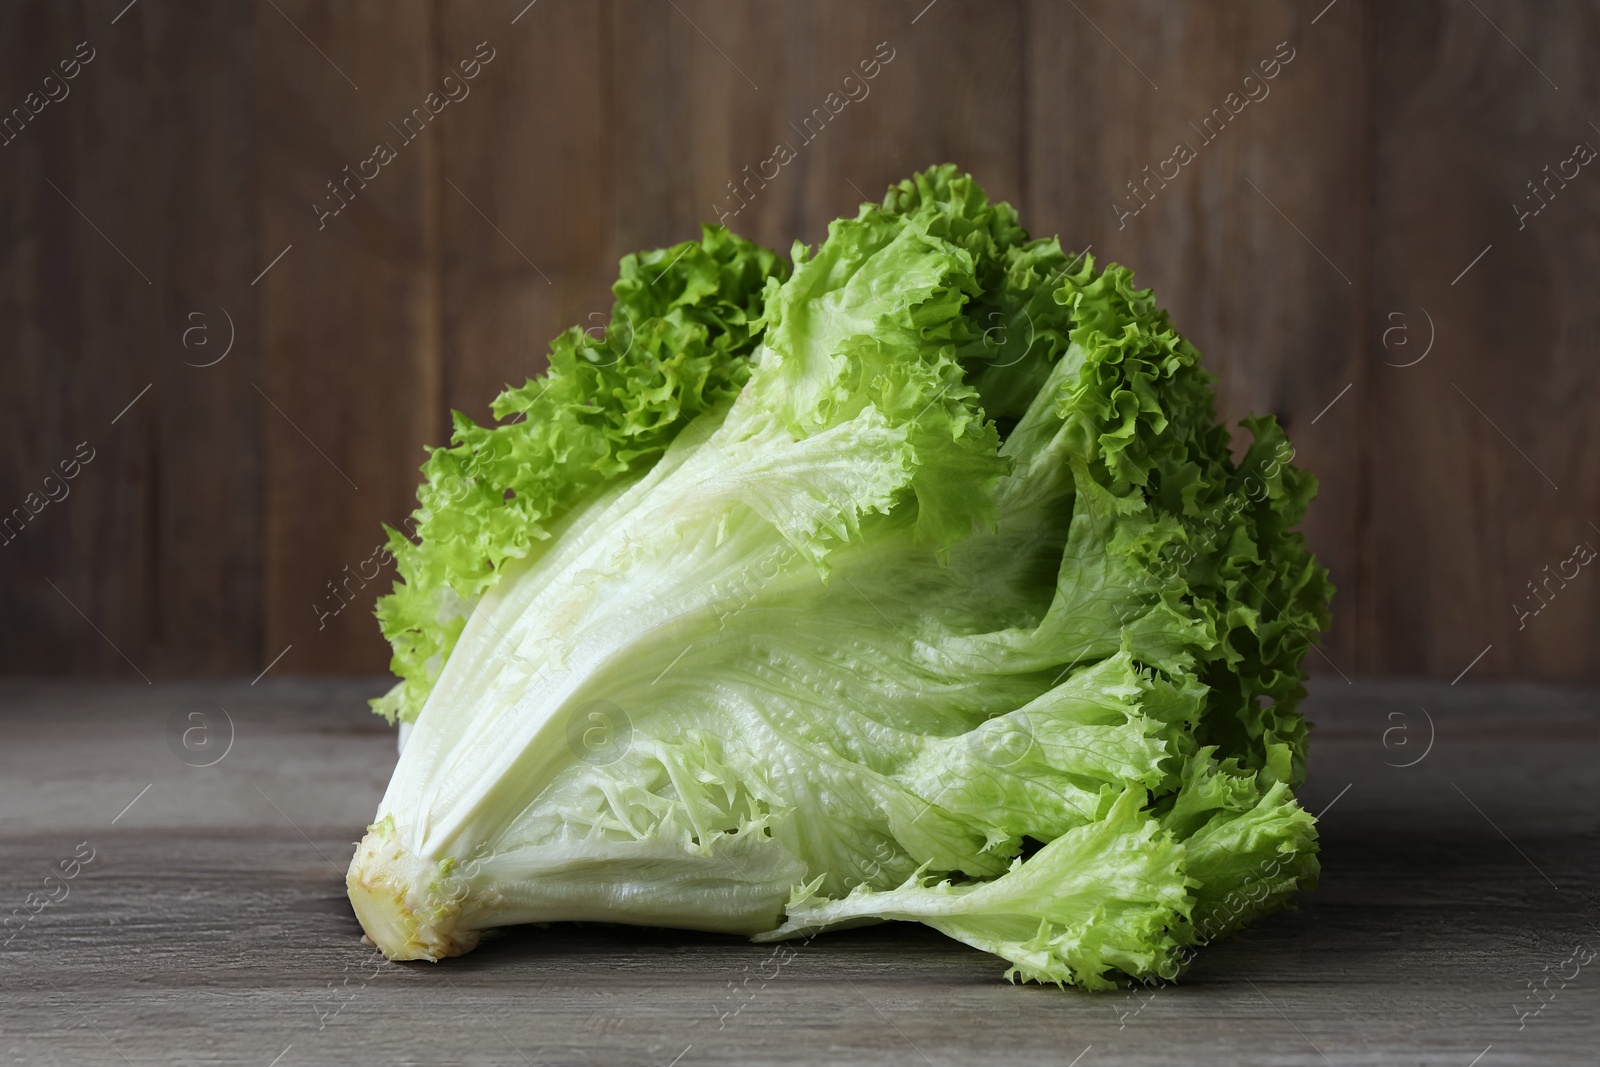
<point x="678" y="343"/>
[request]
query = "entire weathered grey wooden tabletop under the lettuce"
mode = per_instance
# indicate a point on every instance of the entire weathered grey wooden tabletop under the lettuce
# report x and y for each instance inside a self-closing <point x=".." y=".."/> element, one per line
<point x="212" y="927"/>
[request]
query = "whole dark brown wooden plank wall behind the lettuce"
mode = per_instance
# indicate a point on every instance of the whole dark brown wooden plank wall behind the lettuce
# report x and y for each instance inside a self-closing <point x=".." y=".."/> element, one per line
<point x="1329" y="234"/>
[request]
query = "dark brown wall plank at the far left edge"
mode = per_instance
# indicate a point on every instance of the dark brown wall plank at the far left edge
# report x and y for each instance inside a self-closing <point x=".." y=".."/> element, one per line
<point x="129" y="210"/>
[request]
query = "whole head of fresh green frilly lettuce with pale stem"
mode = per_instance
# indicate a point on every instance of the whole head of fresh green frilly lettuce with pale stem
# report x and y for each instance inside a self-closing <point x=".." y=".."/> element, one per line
<point x="914" y="580"/>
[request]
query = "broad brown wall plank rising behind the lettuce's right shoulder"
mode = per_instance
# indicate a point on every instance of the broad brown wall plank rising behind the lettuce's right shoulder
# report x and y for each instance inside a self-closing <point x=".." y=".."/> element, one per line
<point x="1258" y="244"/>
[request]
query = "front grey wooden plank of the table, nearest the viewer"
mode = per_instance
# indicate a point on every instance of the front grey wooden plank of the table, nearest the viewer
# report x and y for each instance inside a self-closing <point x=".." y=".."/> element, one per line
<point x="202" y="948"/>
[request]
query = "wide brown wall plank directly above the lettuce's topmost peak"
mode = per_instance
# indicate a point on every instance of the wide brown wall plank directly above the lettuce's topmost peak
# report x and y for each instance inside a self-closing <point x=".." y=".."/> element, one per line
<point x="734" y="84"/>
